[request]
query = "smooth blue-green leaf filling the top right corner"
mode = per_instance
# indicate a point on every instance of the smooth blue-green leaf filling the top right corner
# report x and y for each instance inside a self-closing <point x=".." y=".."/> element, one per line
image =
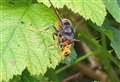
<point x="114" y="8"/>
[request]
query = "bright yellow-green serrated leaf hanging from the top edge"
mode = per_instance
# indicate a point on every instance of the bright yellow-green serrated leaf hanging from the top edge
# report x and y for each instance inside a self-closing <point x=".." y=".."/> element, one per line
<point x="89" y="9"/>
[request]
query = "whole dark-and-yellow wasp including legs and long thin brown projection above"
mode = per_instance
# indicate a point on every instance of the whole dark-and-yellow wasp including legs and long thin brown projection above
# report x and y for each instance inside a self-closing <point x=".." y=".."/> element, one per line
<point x="64" y="33"/>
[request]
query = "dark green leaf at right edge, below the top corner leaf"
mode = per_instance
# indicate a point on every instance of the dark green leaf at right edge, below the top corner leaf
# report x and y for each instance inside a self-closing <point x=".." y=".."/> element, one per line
<point x="114" y="35"/>
